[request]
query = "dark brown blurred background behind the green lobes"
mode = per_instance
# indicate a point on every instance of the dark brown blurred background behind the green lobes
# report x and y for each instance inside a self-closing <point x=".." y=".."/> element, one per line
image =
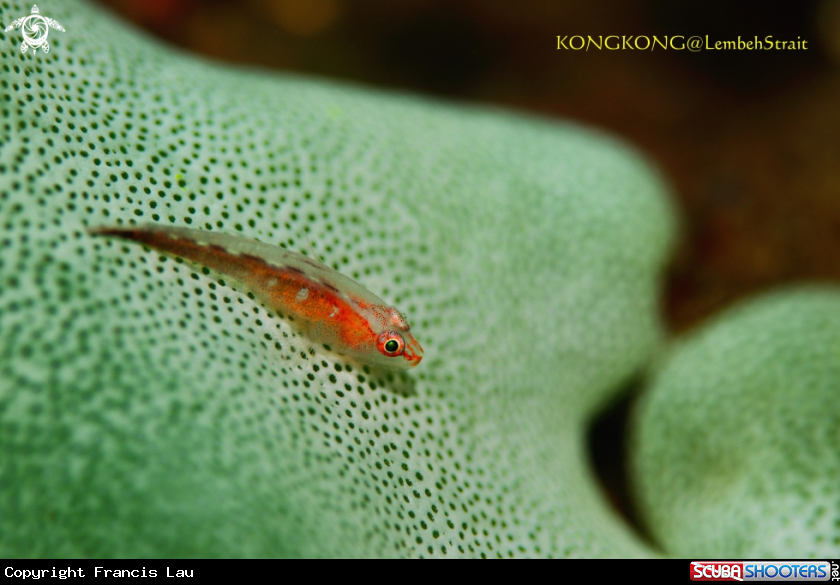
<point x="749" y="140"/>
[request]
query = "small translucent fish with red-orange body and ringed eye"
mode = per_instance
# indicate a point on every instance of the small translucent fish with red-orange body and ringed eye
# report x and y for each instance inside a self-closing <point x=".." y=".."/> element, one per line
<point x="325" y="305"/>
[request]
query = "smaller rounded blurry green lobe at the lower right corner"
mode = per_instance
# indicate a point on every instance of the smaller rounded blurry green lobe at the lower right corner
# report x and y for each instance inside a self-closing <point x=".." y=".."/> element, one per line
<point x="737" y="442"/>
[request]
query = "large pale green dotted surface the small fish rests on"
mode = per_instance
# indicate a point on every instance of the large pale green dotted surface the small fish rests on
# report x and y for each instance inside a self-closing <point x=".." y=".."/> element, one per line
<point x="149" y="409"/>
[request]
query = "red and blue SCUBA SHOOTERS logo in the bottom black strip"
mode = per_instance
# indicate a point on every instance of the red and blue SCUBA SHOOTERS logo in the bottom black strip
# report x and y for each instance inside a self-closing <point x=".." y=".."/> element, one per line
<point x="764" y="571"/>
